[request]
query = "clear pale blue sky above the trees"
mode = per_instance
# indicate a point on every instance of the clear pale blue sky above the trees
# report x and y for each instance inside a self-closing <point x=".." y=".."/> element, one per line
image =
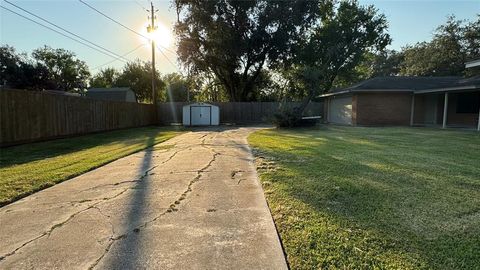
<point x="410" y="22"/>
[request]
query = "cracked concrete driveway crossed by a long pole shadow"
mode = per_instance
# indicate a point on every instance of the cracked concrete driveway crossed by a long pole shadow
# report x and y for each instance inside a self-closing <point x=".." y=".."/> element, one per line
<point x="193" y="202"/>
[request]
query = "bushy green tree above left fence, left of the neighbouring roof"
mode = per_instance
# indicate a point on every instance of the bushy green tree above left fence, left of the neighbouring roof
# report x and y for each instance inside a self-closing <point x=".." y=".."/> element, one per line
<point x="65" y="71"/>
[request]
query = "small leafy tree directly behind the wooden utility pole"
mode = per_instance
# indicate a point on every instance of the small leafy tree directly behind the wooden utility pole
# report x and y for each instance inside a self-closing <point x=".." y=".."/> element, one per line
<point x="138" y="76"/>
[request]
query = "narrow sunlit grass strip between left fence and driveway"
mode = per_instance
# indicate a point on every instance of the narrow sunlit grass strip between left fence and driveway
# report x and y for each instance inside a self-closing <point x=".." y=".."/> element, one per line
<point x="28" y="168"/>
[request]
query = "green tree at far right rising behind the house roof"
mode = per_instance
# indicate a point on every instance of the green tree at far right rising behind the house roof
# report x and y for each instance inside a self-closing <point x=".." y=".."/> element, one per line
<point x="454" y="43"/>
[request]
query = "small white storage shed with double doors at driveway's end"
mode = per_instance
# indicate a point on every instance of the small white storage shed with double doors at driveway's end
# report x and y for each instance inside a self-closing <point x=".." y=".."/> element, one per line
<point x="201" y="114"/>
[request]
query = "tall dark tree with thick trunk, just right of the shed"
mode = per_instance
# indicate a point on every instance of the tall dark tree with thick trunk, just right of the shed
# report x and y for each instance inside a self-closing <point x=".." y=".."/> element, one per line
<point x="236" y="39"/>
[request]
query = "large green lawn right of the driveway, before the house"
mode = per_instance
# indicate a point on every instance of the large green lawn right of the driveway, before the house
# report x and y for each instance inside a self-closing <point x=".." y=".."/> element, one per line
<point x="373" y="198"/>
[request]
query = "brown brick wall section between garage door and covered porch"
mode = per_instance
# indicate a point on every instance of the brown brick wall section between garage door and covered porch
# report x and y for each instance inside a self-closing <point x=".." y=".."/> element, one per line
<point x="384" y="109"/>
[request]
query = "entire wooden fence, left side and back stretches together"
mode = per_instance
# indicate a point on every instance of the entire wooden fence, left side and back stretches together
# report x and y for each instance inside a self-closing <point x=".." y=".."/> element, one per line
<point x="27" y="116"/>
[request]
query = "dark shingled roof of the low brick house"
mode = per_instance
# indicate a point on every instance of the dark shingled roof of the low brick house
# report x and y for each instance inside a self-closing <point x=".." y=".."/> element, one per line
<point x="410" y="84"/>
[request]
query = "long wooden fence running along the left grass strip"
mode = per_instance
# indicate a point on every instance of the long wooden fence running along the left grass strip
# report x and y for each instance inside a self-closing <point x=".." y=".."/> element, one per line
<point x="27" y="116"/>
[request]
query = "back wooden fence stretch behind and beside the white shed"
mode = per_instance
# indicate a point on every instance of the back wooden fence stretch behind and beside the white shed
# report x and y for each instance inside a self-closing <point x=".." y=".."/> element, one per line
<point x="236" y="112"/>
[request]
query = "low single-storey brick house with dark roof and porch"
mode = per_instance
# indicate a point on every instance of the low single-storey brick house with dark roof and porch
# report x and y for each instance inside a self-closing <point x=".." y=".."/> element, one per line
<point x="425" y="101"/>
